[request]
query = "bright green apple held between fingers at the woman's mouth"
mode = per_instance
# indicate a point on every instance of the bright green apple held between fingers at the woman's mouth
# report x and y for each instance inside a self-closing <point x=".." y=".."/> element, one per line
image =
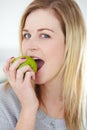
<point x="29" y="61"/>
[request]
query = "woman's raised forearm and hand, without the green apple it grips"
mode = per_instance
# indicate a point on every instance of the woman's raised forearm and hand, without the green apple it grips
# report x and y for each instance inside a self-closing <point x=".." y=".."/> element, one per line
<point x="21" y="81"/>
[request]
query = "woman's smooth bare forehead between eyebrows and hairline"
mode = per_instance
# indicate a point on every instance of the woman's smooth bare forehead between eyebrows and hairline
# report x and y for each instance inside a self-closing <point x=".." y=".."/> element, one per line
<point x="42" y="18"/>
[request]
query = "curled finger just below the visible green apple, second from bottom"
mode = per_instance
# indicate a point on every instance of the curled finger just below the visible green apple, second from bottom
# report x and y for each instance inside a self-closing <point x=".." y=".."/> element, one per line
<point x="21" y="72"/>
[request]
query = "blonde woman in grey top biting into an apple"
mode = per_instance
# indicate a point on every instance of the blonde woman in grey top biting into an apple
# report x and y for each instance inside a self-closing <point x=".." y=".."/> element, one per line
<point x="53" y="33"/>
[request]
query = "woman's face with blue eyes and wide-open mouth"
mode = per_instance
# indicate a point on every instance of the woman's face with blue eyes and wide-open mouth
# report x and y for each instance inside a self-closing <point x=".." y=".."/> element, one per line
<point x="43" y="40"/>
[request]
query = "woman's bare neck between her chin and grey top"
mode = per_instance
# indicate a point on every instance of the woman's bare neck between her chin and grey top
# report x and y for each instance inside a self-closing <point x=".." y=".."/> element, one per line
<point x="51" y="95"/>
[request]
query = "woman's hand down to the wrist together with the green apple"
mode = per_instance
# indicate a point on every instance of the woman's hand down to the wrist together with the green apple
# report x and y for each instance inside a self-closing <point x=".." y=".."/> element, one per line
<point x="21" y="79"/>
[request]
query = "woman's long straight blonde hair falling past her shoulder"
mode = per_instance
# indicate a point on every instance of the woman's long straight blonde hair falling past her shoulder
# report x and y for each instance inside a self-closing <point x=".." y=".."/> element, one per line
<point x="74" y="68"/>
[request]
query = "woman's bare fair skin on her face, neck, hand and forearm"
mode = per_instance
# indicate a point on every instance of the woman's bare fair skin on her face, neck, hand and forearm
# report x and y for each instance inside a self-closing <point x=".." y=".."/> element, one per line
<point x="42" y="38"/>
